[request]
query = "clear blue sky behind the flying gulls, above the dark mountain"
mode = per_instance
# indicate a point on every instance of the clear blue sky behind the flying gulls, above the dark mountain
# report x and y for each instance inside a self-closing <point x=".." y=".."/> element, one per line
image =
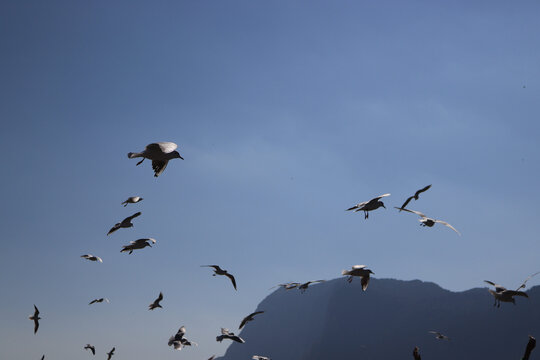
<point x="287" y="113"/>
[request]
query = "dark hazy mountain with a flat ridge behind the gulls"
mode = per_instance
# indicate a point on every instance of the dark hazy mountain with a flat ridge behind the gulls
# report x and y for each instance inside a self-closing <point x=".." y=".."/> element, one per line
<point x="336" y="320"/>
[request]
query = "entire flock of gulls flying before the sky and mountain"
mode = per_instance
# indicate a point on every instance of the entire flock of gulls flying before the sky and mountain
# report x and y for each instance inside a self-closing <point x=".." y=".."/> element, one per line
<point x="161" y="153"/>
